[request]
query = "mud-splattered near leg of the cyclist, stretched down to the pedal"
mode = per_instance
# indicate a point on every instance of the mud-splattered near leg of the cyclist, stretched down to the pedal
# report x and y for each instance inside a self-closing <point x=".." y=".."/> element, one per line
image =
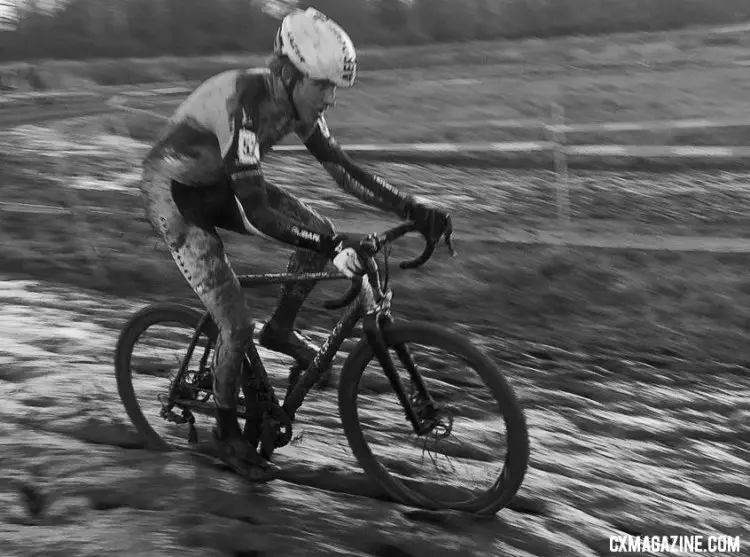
<point x="199" y="253"/>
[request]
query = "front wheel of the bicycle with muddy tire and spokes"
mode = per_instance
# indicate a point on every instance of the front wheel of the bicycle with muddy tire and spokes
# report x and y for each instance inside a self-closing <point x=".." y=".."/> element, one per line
<point x="476" y="455"/>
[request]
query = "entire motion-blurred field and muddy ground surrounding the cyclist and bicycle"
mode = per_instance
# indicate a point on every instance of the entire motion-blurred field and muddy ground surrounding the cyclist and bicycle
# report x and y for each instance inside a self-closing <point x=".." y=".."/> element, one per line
<point x="594" y="155"/>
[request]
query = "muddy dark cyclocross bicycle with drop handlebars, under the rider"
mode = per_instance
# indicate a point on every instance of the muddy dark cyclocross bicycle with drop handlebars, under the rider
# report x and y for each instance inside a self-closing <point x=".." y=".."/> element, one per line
<point x="429" y="412"/>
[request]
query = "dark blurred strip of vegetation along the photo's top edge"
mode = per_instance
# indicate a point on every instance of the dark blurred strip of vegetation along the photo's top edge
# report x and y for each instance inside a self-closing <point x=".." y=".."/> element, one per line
<point x="117" y="28"/>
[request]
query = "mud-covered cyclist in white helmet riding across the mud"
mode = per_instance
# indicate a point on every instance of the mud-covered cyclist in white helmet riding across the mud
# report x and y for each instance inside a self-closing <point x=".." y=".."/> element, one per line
<point x="205" y="173"/>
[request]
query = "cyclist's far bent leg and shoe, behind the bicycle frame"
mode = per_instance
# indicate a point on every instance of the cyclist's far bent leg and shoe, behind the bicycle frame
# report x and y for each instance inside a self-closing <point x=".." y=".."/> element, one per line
<point x="279" y="331"/>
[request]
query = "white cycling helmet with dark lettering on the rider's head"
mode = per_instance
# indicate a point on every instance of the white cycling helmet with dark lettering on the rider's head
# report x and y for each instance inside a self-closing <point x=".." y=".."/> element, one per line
<point x="318" y="47"/>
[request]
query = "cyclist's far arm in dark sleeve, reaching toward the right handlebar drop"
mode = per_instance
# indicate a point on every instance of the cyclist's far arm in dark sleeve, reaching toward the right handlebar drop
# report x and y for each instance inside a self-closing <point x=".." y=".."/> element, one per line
<point x="350" y="177"/>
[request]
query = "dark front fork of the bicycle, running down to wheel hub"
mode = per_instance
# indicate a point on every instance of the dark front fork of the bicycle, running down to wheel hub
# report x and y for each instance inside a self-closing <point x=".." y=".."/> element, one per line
<point x="421" y="410"/>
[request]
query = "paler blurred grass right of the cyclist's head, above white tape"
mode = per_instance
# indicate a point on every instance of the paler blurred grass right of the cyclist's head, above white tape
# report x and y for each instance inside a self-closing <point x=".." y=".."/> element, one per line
<point x="597" y="84"/>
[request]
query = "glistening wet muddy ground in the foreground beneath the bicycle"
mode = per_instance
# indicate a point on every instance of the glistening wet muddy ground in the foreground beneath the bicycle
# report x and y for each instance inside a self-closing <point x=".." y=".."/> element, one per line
<point x="617" y="446"/>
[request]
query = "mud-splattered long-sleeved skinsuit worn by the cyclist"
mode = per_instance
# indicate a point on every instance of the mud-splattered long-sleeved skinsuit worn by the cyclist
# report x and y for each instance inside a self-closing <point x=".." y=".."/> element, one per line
<point x="205" y="173"/>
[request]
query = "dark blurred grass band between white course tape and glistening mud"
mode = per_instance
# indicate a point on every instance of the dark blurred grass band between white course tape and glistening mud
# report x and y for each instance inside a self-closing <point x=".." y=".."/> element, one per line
<point x="695" y="305"/>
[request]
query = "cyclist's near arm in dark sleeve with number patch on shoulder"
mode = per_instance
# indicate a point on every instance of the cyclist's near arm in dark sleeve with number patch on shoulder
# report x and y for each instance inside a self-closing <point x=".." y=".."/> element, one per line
<point x="257" y="209"/>
